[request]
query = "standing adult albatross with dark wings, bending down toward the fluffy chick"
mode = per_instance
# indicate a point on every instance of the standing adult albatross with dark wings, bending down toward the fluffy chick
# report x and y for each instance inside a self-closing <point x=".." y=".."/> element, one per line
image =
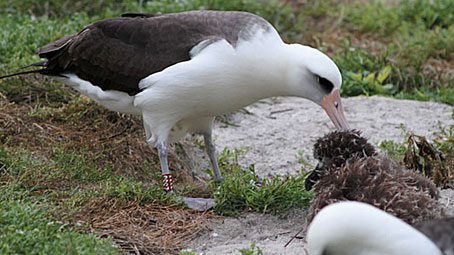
<point x="179" y="70"/>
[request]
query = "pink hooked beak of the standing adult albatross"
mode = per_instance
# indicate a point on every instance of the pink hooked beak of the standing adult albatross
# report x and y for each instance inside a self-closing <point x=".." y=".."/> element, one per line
<point x="332" y="105"/>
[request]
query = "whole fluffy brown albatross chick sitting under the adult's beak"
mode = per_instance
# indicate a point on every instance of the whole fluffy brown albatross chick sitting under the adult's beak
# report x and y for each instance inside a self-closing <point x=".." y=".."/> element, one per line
<point x="363" y="175"/>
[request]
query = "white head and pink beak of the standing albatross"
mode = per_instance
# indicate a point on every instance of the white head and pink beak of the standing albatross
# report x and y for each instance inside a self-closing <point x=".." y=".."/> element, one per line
<point x="314" y="76"/>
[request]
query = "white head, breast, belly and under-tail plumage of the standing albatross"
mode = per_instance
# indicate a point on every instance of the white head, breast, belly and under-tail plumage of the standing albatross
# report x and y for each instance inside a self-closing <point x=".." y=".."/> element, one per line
<point x="218" y="79"/>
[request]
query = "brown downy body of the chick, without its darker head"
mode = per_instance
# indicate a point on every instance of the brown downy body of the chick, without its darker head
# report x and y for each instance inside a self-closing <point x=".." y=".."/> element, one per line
<point x="379" y="182"/>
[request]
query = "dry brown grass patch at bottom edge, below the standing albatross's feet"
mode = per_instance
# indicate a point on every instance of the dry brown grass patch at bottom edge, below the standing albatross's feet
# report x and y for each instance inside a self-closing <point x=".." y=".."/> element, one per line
<point x="148" y="229"/>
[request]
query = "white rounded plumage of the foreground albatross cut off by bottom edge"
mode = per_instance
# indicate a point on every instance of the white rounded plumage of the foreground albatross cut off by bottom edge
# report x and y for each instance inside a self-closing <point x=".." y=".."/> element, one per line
<point x="354" y="228"/>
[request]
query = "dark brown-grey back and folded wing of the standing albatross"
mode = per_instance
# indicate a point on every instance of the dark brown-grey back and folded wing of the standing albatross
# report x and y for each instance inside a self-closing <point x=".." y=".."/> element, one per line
<point x="115" y="54"/>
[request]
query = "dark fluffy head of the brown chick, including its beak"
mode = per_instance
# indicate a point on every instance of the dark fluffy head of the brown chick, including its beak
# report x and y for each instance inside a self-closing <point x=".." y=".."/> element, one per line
<point x="334" y="150"/>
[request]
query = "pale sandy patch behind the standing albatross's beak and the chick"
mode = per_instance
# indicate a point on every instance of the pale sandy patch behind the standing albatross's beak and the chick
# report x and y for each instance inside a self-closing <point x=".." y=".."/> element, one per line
<point x="275" y="133"/>
